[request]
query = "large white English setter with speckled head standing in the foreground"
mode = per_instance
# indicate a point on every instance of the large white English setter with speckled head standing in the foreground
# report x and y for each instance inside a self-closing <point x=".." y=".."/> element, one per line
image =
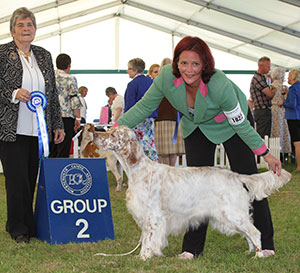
<point x="165" y="200"/>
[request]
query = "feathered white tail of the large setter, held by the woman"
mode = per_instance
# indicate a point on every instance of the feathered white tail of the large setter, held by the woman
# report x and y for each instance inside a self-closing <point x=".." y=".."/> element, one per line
<point x="264" y="184"/>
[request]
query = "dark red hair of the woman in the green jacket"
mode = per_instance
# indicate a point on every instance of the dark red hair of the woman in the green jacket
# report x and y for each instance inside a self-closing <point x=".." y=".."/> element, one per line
<point x="199" y="46"/>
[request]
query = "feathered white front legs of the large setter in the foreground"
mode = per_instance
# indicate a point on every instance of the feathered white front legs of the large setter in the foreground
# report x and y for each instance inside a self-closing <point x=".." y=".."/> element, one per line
<point x="154" y="237"/>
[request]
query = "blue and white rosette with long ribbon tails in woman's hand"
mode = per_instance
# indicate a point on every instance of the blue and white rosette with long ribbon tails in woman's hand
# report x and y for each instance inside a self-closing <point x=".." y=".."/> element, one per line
<point x="37" y="104"/>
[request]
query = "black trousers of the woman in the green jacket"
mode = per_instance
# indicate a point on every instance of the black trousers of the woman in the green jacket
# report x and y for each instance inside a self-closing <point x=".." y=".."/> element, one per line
<point x="200" y="152"/>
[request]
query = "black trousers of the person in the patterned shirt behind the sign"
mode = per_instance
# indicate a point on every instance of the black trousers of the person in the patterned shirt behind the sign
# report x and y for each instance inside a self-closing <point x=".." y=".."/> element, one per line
<point x="63" y="149"/>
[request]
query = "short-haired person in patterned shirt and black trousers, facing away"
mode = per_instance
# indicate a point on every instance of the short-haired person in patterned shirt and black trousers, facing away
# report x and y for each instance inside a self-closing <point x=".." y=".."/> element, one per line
<point x="67" y="89"/>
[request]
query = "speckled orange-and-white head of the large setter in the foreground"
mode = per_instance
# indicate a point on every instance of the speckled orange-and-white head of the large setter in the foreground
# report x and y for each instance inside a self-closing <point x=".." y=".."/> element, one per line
<point x="120" y="139"/>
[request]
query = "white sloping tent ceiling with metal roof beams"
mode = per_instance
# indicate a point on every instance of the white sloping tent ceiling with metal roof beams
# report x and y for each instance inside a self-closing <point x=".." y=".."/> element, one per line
<point x="249" y="29"/>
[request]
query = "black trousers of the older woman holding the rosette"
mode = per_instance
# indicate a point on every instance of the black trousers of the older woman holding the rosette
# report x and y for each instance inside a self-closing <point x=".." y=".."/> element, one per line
<point x="20" y="165"/>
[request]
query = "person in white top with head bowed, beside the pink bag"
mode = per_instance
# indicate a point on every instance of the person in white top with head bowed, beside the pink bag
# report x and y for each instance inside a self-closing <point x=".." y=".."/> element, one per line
<point x="117" y="106"/>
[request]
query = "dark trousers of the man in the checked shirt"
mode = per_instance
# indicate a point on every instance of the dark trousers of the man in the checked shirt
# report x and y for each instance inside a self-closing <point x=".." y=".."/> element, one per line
<point x="263" y="119"/>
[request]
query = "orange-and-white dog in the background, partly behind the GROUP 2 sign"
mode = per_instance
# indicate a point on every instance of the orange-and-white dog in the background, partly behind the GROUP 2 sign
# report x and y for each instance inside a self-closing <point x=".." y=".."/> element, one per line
<point x="89" y="150"/>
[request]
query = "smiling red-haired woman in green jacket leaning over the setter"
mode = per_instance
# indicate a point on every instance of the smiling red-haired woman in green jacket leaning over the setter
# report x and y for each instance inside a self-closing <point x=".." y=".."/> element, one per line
<point x="214" y="110"/>
